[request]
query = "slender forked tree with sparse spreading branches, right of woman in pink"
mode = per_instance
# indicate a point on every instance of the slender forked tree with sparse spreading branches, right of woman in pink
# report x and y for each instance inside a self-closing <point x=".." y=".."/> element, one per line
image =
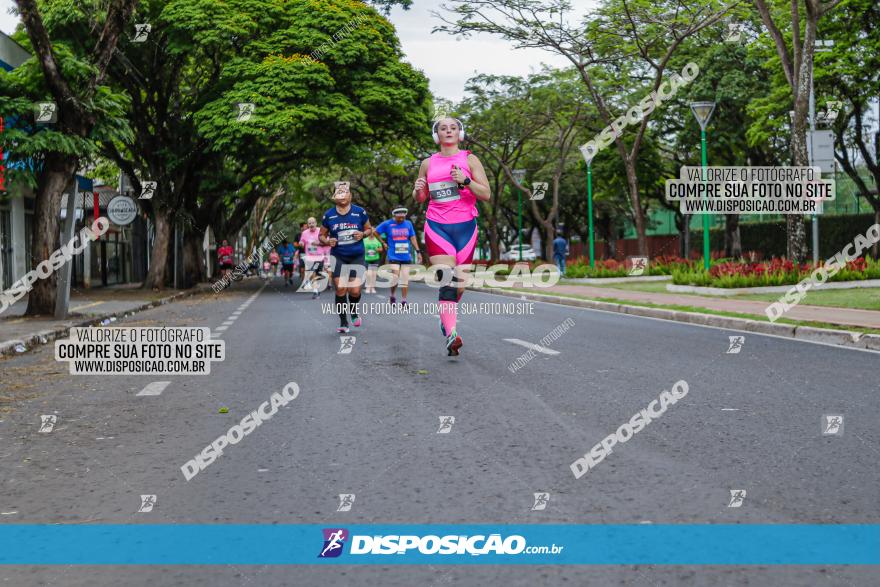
<point x="632" y="41"/>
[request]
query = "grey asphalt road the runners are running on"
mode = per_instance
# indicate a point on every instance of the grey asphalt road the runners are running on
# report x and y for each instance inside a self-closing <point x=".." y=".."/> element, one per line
<point x="366" y="423"/>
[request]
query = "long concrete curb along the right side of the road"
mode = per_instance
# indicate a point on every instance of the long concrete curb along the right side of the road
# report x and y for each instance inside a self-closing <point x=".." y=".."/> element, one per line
<point x="844" y="338"/>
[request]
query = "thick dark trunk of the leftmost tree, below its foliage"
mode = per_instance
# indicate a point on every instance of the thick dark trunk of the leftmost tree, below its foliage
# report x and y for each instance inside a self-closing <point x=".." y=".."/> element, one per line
<point x="58" y="172"/>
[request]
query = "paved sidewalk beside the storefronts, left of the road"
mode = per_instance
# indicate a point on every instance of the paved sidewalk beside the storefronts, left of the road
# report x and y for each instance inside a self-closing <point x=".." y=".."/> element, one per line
<point x="86" y="307"/>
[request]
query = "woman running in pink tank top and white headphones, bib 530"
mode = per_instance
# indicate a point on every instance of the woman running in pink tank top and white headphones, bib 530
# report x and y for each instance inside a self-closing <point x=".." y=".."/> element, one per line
<point x="452" y="181"/>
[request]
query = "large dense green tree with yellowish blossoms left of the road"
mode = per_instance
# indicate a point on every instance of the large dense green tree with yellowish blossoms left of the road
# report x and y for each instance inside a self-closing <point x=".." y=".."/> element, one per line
<point x="324" y="81"/>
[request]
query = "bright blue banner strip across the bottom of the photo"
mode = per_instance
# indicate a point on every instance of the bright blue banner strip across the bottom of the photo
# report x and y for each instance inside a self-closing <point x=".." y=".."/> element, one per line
<point x="544" y="544"/>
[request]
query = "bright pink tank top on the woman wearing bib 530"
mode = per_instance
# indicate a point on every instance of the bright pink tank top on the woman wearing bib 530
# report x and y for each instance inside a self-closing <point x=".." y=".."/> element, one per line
<point x="447" y="203"/>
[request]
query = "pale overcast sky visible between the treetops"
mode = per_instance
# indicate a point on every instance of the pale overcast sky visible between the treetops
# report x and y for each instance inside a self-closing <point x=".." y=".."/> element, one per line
<point x="447" y="62"/>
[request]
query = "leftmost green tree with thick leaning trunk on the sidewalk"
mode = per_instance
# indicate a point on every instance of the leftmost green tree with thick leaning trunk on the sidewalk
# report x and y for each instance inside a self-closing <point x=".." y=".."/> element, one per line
<point x="75" y="82"/>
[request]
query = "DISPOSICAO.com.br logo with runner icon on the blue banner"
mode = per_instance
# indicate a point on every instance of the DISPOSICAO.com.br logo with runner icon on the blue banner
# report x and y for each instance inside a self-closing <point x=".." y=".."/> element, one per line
<point x="334" y="540"/>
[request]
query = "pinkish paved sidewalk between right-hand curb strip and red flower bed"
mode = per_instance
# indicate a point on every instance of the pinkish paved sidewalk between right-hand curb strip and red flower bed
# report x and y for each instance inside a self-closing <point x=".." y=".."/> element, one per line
<point x="842" y="316"/>
